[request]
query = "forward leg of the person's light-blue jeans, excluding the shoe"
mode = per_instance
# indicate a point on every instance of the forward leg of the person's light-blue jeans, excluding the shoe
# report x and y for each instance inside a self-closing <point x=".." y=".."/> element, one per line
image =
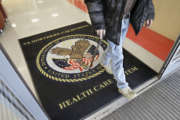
<point x="117" y="58"/>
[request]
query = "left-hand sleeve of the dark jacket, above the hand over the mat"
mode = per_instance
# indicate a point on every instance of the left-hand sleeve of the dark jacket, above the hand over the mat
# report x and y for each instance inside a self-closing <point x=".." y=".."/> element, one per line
<point x="96" y="13"/>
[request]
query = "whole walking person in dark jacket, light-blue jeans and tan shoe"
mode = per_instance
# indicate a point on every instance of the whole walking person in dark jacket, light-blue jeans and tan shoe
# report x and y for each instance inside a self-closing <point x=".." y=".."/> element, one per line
<point x="110" y="19"/>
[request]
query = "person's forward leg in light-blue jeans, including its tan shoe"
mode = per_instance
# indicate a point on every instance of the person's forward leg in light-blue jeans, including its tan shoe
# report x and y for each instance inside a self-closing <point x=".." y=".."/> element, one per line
<point x="117" y="64"/>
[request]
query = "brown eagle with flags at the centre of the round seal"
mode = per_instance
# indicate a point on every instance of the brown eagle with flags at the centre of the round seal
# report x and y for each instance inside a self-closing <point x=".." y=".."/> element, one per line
<point x="80" y="55"/>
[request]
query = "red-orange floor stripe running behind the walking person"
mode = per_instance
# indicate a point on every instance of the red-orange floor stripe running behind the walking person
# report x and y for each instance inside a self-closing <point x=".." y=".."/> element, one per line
<point x="155" y="43"/>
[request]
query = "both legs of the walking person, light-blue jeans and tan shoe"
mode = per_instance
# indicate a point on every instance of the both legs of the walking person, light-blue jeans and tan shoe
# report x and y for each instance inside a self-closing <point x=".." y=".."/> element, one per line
<point x="114" y="53"/>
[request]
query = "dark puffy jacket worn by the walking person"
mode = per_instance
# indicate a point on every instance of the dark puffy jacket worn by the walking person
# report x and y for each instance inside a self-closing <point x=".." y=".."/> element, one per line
<point x="107" y="14"/>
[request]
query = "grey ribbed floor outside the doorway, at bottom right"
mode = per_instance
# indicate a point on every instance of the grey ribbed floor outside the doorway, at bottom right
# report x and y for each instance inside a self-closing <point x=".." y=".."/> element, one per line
<point x="161" y="102"/>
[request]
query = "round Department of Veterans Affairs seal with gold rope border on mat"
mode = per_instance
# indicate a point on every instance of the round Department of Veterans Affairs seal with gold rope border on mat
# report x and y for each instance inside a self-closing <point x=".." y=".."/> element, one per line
<point x="68" y="59"/>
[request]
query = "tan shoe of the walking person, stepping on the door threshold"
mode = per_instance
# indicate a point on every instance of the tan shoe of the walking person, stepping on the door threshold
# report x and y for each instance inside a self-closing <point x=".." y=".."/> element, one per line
<point x="127" y="92"/>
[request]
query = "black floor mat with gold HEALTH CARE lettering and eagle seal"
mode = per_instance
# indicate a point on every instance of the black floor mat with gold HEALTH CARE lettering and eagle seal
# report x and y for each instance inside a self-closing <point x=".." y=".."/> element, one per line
<point x="59" y="61"/>
